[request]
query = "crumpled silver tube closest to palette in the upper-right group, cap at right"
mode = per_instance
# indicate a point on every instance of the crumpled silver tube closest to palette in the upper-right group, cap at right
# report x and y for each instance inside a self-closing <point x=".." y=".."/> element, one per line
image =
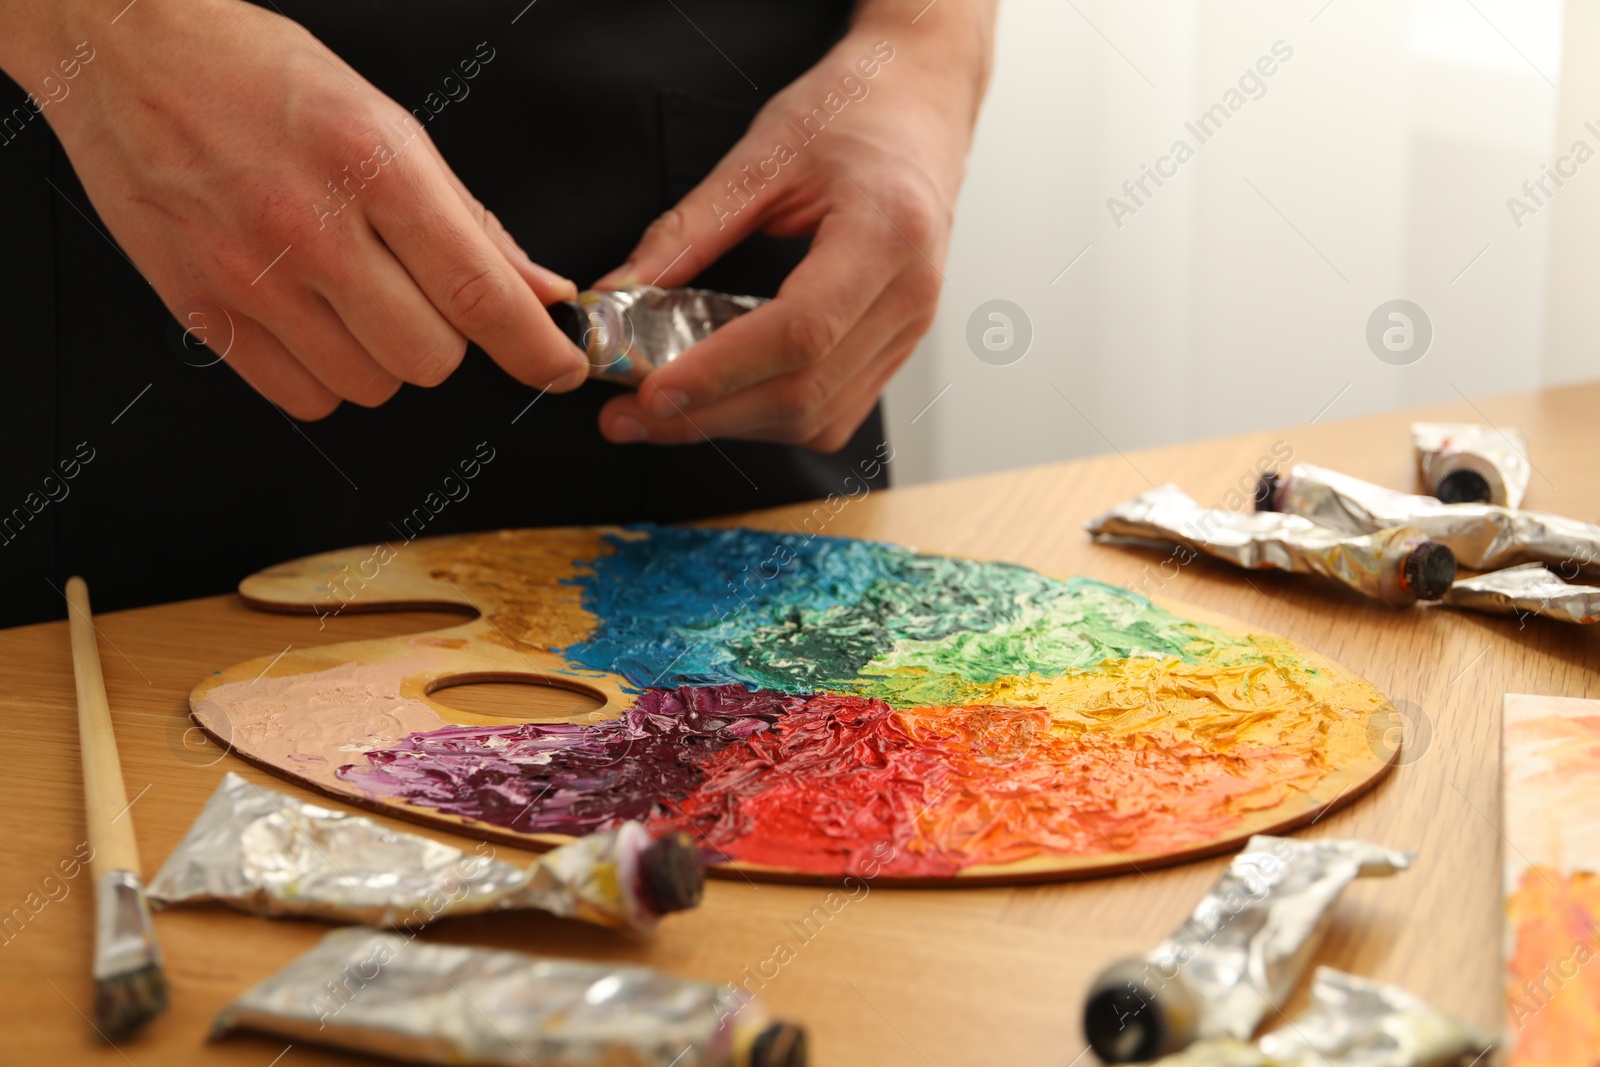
<point x="1398" y="565"/>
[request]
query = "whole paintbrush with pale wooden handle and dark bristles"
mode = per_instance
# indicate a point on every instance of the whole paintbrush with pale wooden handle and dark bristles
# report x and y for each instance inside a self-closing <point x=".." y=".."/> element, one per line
<point x="129" y="985"/>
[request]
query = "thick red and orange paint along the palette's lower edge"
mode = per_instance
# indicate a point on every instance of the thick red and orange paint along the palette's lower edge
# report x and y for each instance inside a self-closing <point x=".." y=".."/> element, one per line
<point x="959" y="788"/>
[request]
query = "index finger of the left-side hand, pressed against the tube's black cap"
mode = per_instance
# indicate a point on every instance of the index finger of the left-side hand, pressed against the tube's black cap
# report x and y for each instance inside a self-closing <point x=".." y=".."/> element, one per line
<point x="473" y="284"/>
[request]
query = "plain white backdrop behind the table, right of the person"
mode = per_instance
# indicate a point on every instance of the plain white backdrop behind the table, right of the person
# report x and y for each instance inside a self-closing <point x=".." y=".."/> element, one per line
<point x="1375" y="167"/>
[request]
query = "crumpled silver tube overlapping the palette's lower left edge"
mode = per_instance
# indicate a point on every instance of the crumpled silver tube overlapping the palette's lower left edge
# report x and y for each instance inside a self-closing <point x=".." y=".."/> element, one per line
<point x="270" y="853"/>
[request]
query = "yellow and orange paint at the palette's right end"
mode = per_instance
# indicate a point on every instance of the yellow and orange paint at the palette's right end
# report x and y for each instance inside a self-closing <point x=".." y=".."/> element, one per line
<point x="1143" y="753"/>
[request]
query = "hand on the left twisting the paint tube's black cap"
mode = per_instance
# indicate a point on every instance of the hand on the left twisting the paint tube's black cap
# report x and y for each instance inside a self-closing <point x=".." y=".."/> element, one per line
<point x="286" y="210"/>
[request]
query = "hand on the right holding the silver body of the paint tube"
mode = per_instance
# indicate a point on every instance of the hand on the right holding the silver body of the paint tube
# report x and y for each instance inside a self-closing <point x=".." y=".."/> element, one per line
<point x="865" y="153"/>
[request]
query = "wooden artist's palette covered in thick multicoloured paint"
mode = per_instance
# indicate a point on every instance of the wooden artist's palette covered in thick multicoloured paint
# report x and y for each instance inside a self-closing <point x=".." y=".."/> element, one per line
<point x="809" y="708"/>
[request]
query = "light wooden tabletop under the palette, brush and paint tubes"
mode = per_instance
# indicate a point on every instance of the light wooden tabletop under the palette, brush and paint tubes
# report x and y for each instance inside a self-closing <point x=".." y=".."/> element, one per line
<point x="945" y="978"/>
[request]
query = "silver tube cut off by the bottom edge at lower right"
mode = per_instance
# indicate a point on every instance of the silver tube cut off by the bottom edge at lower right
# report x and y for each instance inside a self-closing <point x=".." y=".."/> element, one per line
<point x="1351" y="1023"/>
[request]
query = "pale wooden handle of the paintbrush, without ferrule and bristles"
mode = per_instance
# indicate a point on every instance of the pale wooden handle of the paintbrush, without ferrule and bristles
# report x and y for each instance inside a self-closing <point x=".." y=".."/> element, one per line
<point x="105" y="797"/>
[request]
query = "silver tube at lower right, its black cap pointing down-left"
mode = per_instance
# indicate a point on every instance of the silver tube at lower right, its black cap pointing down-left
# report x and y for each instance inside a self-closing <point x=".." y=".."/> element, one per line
<point x="1239" y="954"/>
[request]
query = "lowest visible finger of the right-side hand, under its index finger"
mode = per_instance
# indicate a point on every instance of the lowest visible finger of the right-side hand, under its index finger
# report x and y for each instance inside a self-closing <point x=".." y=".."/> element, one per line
<point x="791" y="407"/>
